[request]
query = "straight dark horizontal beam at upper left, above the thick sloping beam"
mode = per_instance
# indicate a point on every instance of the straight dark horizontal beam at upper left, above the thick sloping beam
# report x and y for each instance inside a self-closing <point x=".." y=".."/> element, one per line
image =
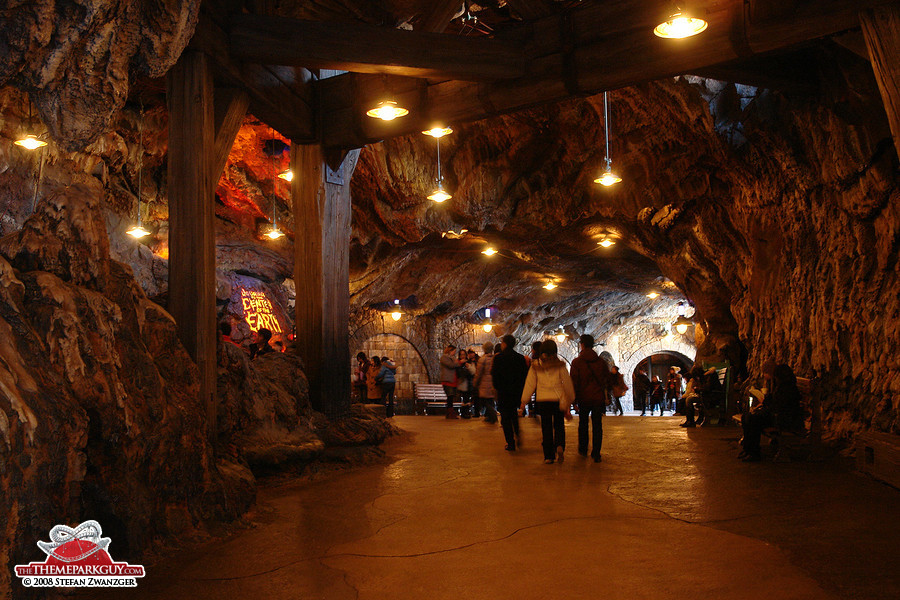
<point x="363" y="48"/>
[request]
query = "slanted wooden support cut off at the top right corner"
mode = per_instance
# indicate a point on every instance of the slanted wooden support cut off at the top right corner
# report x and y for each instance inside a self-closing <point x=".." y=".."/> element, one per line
<point x="881" y="29"/>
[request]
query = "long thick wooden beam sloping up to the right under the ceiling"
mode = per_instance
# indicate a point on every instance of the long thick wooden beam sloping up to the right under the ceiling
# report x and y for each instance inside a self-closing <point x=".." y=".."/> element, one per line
<point x="602" y="46"/>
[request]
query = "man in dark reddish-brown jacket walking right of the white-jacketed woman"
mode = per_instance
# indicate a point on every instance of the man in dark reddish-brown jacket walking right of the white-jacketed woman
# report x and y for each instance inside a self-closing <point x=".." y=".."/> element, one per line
<point x="591" y="379"/>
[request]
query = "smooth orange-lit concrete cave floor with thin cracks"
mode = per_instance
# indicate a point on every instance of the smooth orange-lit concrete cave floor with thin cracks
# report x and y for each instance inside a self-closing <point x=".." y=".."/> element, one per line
<point x="669" y="513"/>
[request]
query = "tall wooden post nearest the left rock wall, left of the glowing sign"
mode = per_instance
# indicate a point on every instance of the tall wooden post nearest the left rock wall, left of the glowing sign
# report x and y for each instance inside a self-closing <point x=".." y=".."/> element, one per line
<point x="192" y="250"/>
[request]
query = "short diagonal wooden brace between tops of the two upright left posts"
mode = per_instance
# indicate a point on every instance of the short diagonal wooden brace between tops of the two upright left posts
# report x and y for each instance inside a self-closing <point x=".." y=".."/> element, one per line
<point x="278" y="96"/>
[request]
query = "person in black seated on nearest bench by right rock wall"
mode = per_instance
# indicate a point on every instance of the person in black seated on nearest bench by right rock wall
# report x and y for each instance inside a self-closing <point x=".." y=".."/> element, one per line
<point x="779" y="409"/>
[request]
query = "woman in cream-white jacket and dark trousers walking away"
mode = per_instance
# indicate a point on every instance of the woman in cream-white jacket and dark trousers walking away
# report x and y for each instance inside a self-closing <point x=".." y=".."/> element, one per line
<point x="549" y="379"/>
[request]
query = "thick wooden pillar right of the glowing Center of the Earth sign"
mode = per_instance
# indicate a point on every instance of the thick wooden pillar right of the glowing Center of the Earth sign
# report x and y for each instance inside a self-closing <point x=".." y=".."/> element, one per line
<point x="321" y="204"/>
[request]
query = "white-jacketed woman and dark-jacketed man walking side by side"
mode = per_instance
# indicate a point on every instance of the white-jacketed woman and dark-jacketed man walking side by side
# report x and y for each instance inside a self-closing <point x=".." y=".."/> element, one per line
<point x="556" y="391"/>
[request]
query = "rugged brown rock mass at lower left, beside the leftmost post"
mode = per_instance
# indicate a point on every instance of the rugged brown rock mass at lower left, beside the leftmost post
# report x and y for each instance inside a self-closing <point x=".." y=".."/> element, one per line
<point x="99" y="410"/>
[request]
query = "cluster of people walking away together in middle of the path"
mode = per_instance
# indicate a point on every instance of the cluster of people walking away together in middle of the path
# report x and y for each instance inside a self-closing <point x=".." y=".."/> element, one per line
<point x="511" y="379"/>
